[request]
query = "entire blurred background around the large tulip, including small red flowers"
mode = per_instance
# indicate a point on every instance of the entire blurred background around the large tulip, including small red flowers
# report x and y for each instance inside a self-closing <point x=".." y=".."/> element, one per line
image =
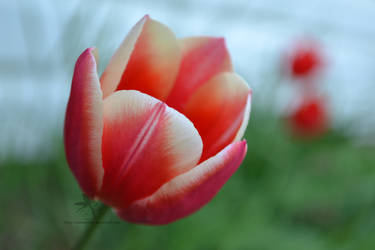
<point x="308" y="181"/>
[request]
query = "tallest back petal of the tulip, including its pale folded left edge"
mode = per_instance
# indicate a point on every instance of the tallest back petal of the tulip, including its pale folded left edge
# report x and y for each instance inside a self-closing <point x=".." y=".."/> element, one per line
<point x="147" y="61"/>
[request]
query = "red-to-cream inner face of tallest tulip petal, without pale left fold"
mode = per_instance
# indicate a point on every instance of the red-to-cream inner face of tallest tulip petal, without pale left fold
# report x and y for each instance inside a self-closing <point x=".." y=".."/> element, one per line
<point x="154" y="61"/>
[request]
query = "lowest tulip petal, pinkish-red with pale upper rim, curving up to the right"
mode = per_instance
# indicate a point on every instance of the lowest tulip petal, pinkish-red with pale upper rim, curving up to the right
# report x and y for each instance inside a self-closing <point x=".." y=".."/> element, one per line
<point x="187" y="192"/>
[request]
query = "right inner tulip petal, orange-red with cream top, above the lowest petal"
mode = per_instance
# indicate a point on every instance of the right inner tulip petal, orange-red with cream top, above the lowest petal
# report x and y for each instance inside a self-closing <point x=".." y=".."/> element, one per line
<point x="217" y="109"/>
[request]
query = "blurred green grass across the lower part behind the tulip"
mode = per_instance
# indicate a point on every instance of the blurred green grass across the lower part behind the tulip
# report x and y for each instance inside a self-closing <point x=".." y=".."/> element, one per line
<point x="289" y="194"/>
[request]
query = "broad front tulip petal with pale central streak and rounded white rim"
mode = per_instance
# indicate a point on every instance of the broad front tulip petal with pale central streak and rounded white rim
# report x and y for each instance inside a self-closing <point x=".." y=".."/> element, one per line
<point x="145" y="144"/>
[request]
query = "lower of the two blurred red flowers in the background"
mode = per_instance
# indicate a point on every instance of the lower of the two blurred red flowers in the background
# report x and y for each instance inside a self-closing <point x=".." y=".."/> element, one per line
<point x="310" y="118"/>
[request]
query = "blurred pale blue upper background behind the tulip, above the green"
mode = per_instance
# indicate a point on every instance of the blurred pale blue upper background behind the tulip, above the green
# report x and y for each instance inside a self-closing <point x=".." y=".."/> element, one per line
<point x="40" y="41"/>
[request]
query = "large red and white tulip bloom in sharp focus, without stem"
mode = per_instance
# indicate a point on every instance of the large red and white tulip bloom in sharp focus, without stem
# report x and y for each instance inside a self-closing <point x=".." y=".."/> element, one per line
<point x="159" y="134"/>
